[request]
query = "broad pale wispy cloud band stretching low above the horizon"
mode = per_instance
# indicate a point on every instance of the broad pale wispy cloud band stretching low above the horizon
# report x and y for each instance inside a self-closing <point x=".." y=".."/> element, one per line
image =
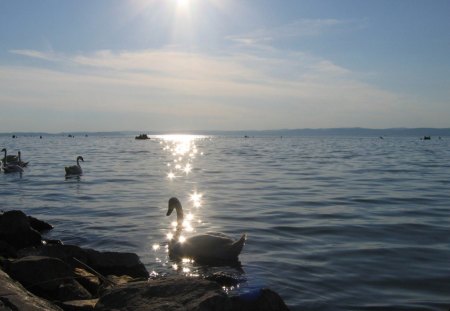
<point x="173" y="89"/>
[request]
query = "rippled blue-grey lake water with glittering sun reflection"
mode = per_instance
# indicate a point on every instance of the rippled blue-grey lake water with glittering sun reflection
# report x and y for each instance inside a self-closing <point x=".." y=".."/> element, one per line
<point x="332" y="223"/>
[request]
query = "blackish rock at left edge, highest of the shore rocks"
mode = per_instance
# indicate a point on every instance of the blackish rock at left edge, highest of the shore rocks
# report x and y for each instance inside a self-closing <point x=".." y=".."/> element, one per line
<point x="15" y="230"/>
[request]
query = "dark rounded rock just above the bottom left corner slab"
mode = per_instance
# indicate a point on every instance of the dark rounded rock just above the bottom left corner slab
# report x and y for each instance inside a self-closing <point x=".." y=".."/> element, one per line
<point x="47" y="277"/>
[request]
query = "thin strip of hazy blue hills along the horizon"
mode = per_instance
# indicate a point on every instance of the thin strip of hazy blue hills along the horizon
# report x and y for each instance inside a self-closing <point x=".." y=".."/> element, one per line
<point x="350" y="132"/>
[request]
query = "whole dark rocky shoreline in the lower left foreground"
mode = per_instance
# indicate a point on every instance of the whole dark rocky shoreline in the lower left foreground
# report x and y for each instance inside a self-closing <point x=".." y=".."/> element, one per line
<point x="38" y="274"/>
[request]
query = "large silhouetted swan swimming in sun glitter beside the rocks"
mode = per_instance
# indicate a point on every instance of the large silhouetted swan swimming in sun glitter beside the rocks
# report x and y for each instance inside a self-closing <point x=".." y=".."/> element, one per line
<point x="208" y="247"/>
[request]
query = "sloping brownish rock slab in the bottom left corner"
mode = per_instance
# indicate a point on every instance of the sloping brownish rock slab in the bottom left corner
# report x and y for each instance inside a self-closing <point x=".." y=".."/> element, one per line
<point x="14" y="297"/>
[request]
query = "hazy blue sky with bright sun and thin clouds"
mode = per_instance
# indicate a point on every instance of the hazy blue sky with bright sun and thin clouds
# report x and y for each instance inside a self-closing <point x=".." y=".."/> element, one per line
<point x="184" y="65"/>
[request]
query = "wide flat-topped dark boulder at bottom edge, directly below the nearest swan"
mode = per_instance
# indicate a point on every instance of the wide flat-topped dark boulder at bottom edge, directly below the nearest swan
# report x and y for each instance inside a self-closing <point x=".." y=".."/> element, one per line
<point x="173" y="293"/>
